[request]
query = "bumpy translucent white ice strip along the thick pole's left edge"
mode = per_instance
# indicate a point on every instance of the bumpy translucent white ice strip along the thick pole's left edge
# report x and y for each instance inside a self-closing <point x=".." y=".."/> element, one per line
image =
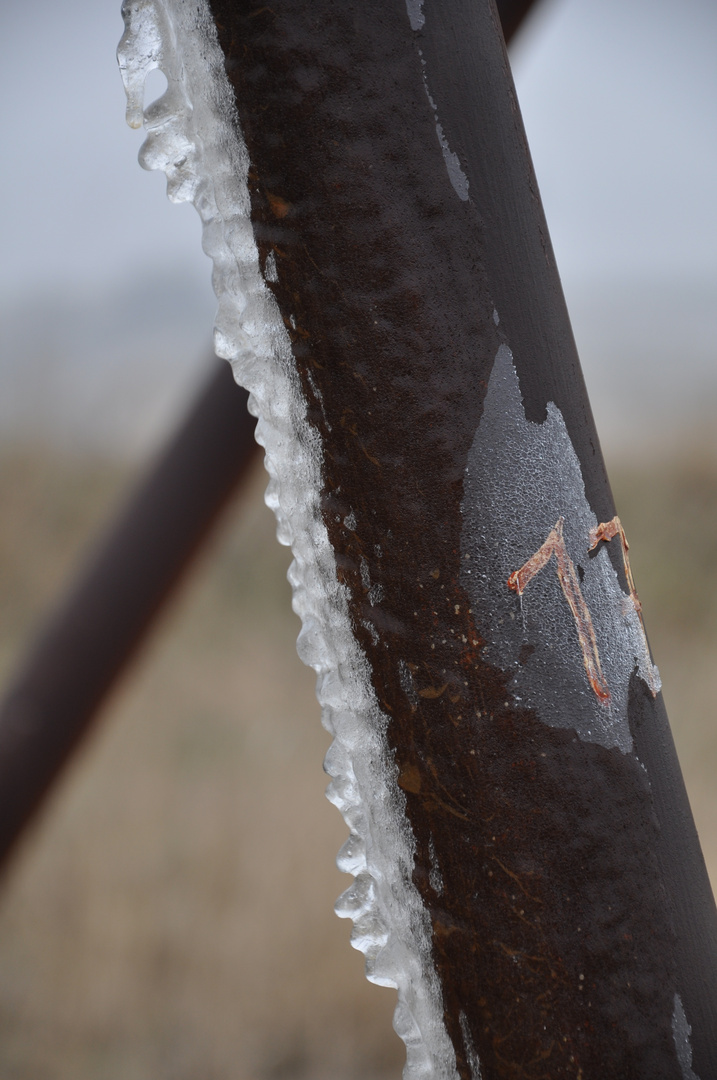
<point x="193" y="137"/>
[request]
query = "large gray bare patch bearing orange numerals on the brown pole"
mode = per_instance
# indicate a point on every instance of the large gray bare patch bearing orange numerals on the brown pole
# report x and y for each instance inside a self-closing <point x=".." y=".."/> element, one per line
<point x="571" y="639"/>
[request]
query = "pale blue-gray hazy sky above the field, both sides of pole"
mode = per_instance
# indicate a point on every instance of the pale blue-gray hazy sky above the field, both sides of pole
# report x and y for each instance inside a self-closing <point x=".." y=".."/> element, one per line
<point x="106" y="306"/>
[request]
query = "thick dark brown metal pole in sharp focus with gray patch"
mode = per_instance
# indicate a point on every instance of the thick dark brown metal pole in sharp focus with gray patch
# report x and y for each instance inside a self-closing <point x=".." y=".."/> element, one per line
<point x="573" y="926"/>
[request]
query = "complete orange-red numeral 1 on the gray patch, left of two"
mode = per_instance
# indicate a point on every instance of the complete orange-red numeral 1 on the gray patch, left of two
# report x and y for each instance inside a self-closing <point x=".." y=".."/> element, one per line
<point x="554" y="546"/>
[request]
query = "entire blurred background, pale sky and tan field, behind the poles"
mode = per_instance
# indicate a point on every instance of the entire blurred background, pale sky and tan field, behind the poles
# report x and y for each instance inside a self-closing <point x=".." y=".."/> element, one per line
<point x="170" y="916"/>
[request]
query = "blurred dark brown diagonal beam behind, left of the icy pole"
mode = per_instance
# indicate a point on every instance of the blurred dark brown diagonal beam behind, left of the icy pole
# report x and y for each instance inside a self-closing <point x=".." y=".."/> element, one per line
<point x="106" y="614"/>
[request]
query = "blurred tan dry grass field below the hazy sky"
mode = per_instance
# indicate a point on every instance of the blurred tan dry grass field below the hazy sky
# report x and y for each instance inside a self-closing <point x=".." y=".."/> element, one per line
<point x="170" y="916"/>
